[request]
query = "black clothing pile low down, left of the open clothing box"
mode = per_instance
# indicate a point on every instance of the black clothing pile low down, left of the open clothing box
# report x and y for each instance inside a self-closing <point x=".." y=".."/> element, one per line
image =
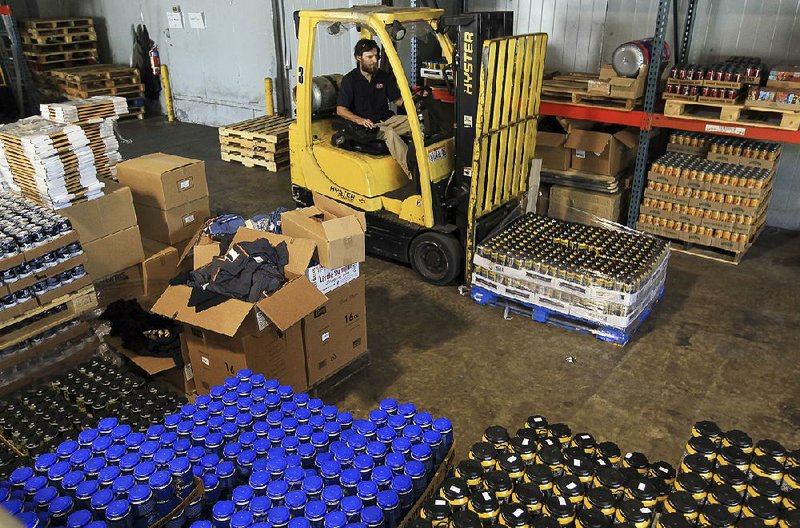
<point x="142" y="332"/>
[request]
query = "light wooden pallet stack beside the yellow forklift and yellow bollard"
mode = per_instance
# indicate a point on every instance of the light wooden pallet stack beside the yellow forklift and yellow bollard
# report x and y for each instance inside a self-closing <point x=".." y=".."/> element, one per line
<point x="263" y="142"/>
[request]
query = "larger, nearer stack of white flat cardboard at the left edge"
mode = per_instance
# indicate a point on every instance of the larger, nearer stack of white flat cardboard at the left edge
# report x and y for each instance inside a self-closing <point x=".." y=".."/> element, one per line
<point x="50" y="163"/>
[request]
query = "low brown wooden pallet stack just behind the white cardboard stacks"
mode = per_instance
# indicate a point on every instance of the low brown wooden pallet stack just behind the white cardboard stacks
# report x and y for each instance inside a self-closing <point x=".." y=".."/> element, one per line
<point x="103" y="79"/>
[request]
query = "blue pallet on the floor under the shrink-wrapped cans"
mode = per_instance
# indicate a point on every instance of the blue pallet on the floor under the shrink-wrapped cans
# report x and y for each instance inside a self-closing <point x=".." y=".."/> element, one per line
<point x="570" y="322"/>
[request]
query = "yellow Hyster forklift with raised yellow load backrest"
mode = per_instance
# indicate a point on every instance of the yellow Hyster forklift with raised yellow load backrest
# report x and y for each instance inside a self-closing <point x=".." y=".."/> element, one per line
<point x="470" y="153"/>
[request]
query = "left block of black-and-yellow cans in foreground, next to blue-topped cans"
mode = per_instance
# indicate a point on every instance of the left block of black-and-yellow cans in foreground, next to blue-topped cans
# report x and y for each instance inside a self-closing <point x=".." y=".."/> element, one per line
<point x="546" y="476"/>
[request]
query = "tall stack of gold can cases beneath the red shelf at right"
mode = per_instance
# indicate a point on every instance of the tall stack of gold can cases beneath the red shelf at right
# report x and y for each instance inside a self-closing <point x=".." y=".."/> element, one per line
<point x="719" y="201"/>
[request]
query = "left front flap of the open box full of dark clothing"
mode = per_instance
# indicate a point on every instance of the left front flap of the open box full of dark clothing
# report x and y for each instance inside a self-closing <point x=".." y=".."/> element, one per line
<point x="224" y="318"/>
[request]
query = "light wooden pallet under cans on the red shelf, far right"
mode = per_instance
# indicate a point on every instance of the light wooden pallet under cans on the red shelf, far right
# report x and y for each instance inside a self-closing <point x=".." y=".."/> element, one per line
<point x="734" y="114"/>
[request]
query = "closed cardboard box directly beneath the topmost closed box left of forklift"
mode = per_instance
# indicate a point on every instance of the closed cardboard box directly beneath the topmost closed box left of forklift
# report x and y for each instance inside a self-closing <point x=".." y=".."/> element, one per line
<point x="172" y="225"/>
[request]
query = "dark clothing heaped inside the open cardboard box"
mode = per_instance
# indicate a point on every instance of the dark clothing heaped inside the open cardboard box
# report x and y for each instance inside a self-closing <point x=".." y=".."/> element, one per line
<point x="246" y="271"/>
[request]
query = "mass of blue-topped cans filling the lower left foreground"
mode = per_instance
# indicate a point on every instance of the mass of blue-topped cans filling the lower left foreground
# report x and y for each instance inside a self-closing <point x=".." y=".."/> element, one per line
<point x="250" y="454"/>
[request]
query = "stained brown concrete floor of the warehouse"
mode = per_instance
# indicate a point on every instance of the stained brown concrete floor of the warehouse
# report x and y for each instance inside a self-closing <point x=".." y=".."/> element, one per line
<point x="721" y="345"/>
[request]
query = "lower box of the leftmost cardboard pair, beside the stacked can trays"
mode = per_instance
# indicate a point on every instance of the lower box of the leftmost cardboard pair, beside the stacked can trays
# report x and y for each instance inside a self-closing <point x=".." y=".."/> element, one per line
<point x="114" y="252"/>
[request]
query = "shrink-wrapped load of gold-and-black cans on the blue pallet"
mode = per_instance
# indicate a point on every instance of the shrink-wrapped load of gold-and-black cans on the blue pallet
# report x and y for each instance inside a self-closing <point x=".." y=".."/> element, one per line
<point x="609" y="276"/>
